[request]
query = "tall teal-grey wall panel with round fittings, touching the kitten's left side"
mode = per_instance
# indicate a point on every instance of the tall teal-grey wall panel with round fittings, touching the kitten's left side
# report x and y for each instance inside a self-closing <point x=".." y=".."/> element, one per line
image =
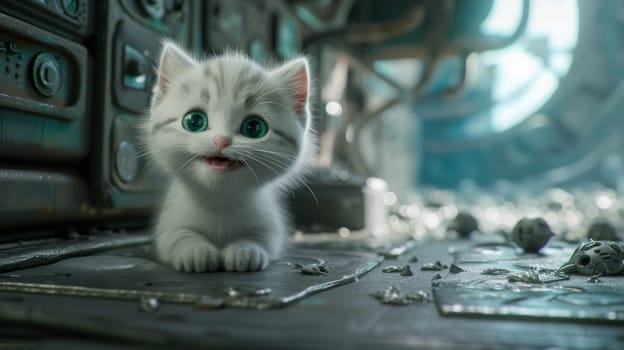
<point x="127" y="51"/>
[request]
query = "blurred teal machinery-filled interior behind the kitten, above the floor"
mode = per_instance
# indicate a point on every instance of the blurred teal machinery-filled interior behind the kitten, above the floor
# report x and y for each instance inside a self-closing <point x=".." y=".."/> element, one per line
<point x="503" y="108"/>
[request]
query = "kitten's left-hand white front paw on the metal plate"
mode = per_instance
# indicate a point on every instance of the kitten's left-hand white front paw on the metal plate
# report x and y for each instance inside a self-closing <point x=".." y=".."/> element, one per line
<point x="200" y="256"/>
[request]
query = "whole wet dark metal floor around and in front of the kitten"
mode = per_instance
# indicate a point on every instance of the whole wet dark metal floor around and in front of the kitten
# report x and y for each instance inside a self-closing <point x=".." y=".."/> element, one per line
<point x="349" y="316"/>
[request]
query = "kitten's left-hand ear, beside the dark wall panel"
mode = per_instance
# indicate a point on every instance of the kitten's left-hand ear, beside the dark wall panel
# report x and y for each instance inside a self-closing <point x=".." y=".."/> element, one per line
<point x="173" y="60"/>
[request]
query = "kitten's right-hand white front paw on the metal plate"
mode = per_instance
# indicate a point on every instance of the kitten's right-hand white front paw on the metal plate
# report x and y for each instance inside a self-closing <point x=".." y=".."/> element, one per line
<point x="245" y="256"/>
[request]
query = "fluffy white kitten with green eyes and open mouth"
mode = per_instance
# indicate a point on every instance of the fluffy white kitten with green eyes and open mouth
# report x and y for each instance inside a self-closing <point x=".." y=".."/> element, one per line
<point x="231" y="135"/>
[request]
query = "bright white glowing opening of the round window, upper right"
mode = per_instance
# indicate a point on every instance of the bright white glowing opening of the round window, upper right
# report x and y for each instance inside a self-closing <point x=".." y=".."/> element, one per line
<point x="527" y="73"/>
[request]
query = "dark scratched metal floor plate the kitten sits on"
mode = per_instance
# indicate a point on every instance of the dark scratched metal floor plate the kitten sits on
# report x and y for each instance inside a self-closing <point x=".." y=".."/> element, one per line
<point x="132" y="274"/>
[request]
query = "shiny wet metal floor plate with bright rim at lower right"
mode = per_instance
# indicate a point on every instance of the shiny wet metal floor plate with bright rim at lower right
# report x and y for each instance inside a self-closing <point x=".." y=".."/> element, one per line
<point x="499" y="298"/>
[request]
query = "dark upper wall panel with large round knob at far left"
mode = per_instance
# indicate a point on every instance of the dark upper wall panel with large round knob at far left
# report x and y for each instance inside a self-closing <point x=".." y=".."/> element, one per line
<point x="43" y="95"/>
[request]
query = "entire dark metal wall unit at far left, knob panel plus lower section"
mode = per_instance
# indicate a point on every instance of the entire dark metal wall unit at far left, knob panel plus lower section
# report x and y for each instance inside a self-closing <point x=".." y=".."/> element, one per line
<point x="44" y="123"/>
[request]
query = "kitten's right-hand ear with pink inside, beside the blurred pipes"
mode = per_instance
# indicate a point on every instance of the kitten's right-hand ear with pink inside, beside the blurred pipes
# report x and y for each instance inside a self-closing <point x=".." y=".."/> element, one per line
<point x="295" y="75"/>
